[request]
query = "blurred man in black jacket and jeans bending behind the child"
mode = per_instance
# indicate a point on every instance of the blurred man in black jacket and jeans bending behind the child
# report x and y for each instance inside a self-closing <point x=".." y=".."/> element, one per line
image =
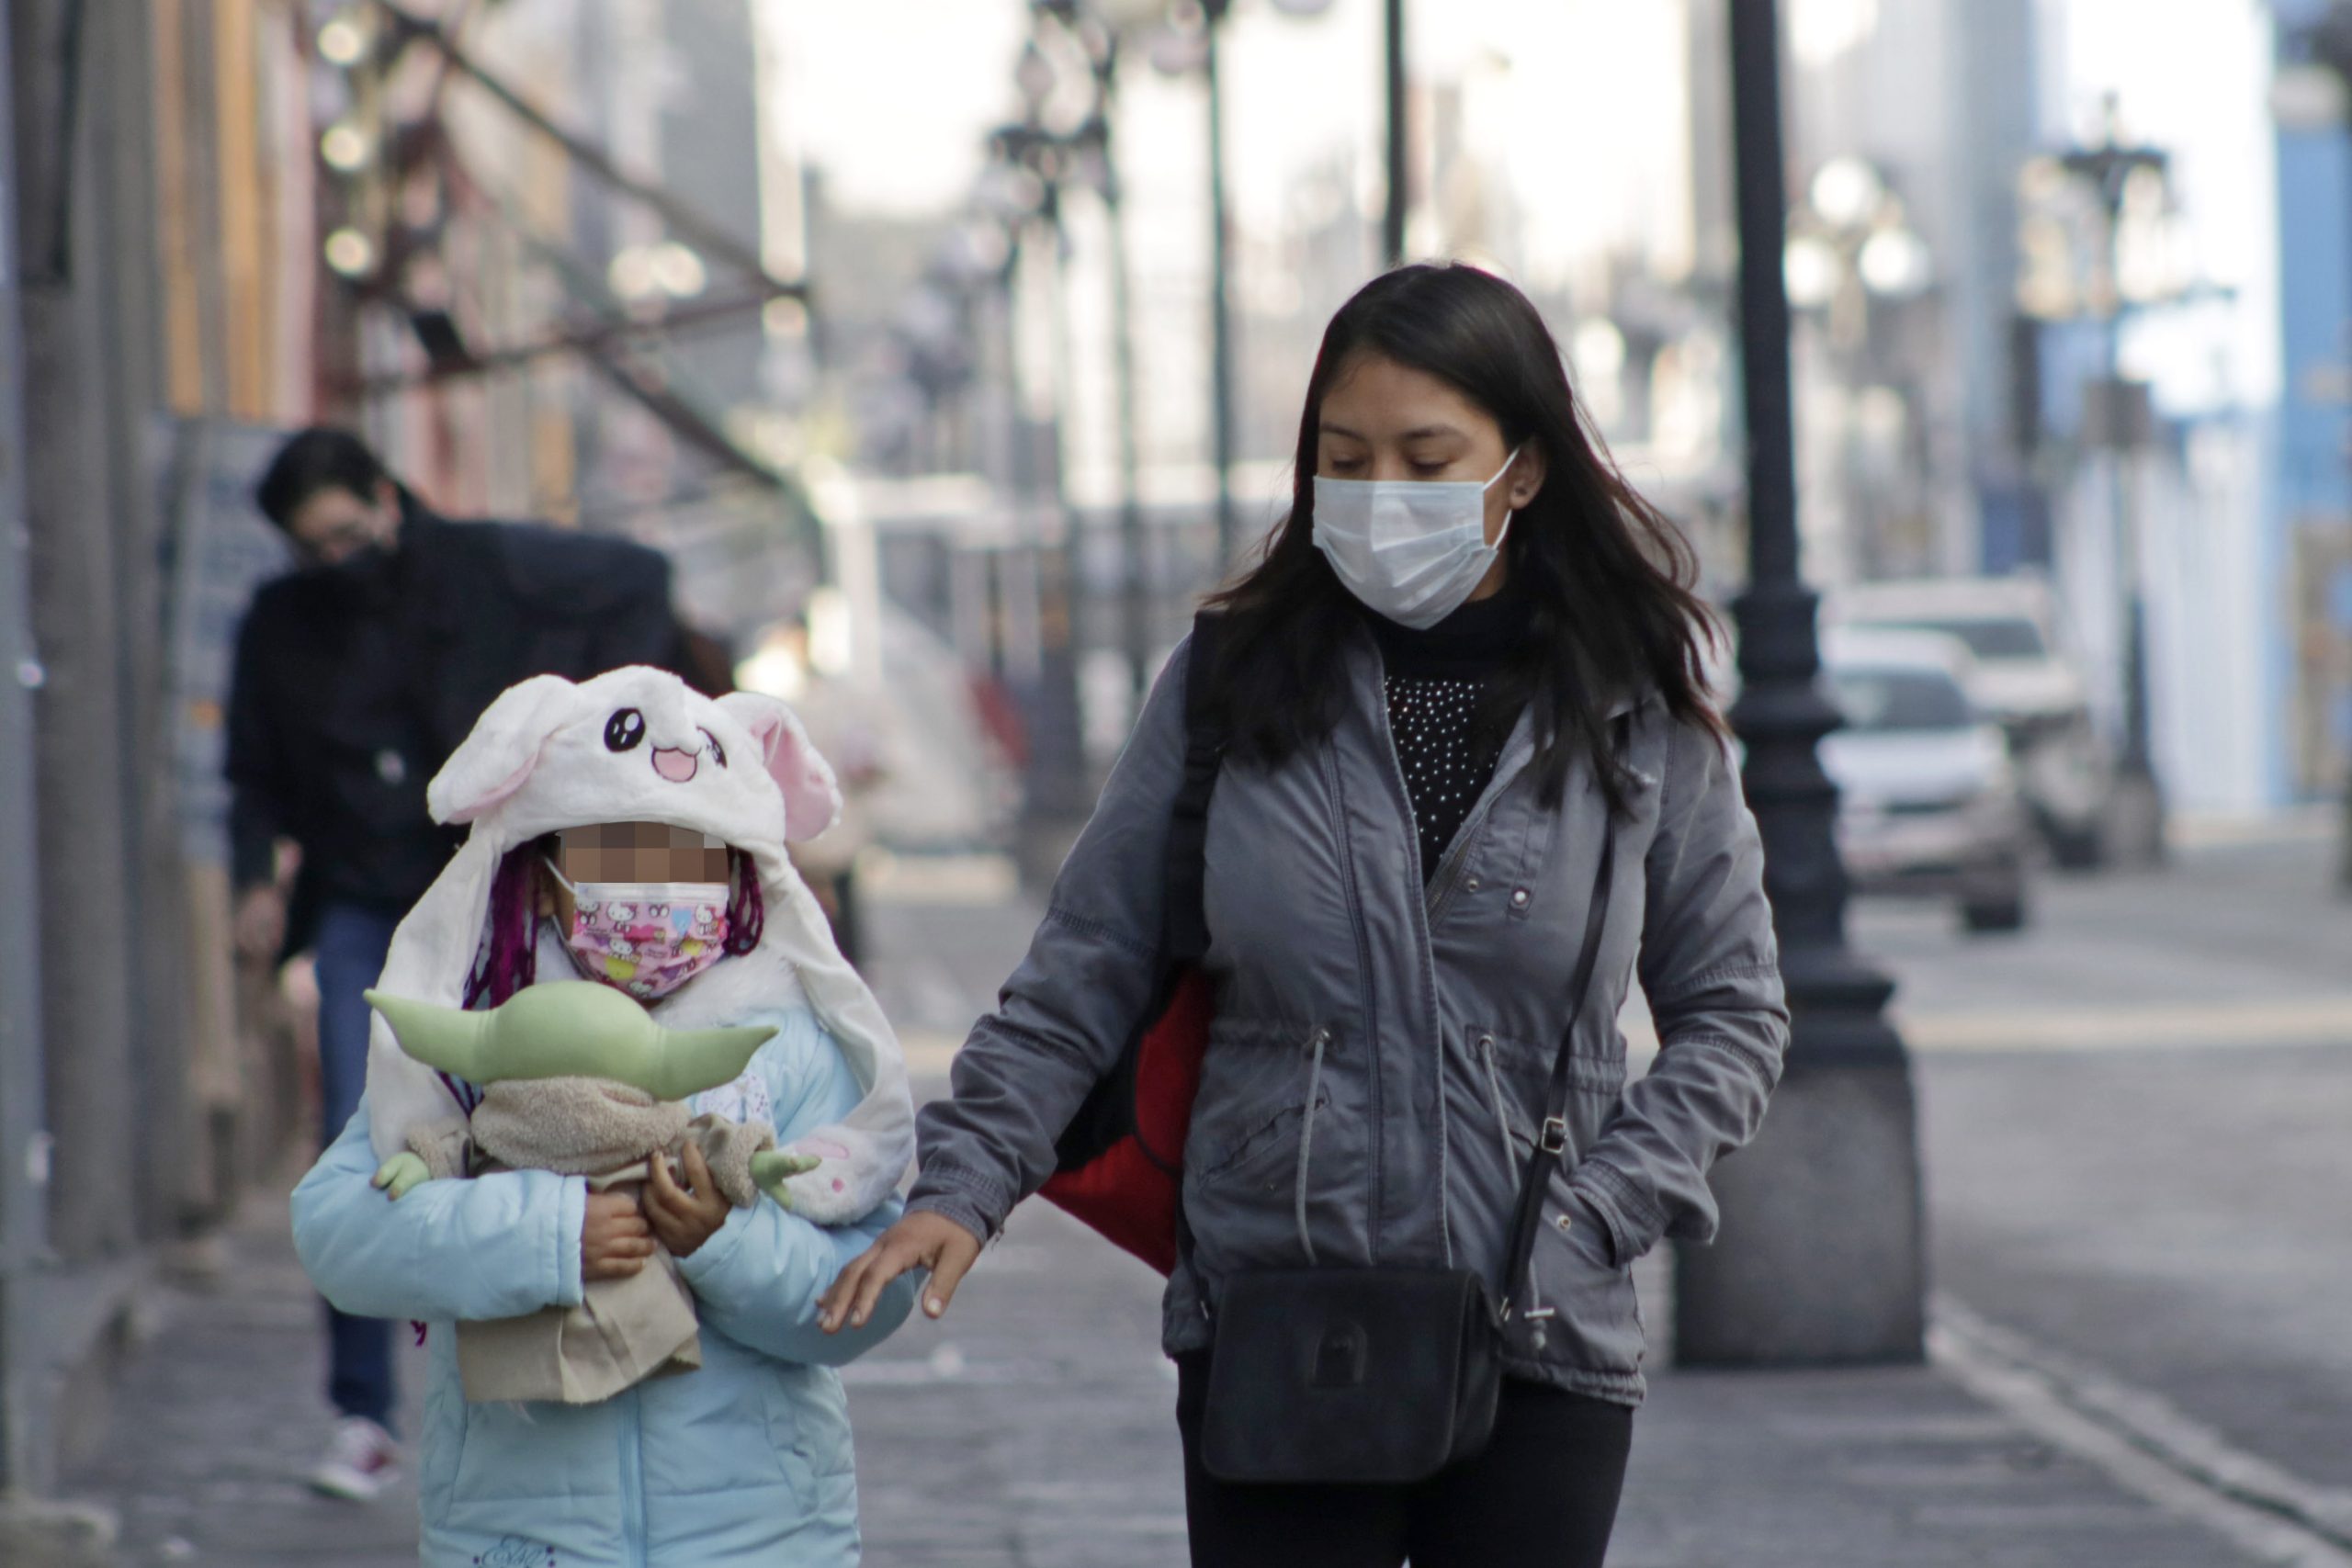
<point x="356" y="676"/>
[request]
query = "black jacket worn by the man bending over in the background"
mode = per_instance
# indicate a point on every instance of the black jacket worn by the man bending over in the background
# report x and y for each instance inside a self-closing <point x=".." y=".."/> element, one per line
<point x="349" y="692"/>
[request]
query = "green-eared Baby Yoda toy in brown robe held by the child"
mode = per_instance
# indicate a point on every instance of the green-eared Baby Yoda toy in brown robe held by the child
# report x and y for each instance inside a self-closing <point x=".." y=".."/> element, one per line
<point x="582" y="1083"/>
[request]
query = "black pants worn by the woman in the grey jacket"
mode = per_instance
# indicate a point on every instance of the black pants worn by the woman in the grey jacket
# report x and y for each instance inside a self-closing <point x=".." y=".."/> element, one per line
<point x="1542" y="1496"/>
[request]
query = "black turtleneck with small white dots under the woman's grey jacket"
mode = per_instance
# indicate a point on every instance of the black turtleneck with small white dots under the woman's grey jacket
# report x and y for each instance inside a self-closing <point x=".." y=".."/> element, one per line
<point x="1436" y="681"/>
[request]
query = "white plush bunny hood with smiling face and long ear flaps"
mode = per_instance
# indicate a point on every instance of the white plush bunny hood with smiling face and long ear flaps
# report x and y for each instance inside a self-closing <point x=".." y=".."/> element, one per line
<point x="643" y="746"/>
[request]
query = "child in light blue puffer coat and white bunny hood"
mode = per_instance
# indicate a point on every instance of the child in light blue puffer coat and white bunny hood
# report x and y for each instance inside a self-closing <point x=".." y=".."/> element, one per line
<point x="474" y="1217"/>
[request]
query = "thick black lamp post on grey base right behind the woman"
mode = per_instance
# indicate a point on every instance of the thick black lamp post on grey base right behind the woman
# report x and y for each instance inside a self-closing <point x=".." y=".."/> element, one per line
<point x="1822" y="1254"/>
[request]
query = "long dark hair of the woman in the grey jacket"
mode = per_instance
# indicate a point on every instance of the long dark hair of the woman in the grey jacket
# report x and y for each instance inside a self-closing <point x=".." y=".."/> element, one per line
<point x="1608" y="575"/>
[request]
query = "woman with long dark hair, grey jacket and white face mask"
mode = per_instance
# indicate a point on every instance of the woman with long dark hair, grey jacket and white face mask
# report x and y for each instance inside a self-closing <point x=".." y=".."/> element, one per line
<point x="1471" y="786"/>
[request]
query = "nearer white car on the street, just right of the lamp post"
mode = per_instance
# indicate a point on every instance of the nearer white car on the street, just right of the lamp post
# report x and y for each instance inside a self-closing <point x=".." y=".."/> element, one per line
<point x="1927" y="791"/>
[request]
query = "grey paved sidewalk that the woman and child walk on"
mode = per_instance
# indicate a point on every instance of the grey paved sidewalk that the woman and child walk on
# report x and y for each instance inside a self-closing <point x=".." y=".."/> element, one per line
<point x="1034" y="1426"/>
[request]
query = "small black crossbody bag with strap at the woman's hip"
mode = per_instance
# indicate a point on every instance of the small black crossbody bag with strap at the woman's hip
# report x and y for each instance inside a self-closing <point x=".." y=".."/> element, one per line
<point x="1379" y="1374"/>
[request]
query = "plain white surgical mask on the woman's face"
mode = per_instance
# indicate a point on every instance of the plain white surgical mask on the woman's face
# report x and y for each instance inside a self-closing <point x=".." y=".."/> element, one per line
<point x="1410" y="549"/>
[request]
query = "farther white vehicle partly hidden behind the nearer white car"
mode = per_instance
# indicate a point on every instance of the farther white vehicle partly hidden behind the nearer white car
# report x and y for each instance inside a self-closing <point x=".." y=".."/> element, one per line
<point x="2024" y="681"/>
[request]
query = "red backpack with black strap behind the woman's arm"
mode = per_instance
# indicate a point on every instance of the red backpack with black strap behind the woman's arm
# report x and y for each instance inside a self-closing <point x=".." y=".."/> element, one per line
<point x="1121" y="1160"/>
